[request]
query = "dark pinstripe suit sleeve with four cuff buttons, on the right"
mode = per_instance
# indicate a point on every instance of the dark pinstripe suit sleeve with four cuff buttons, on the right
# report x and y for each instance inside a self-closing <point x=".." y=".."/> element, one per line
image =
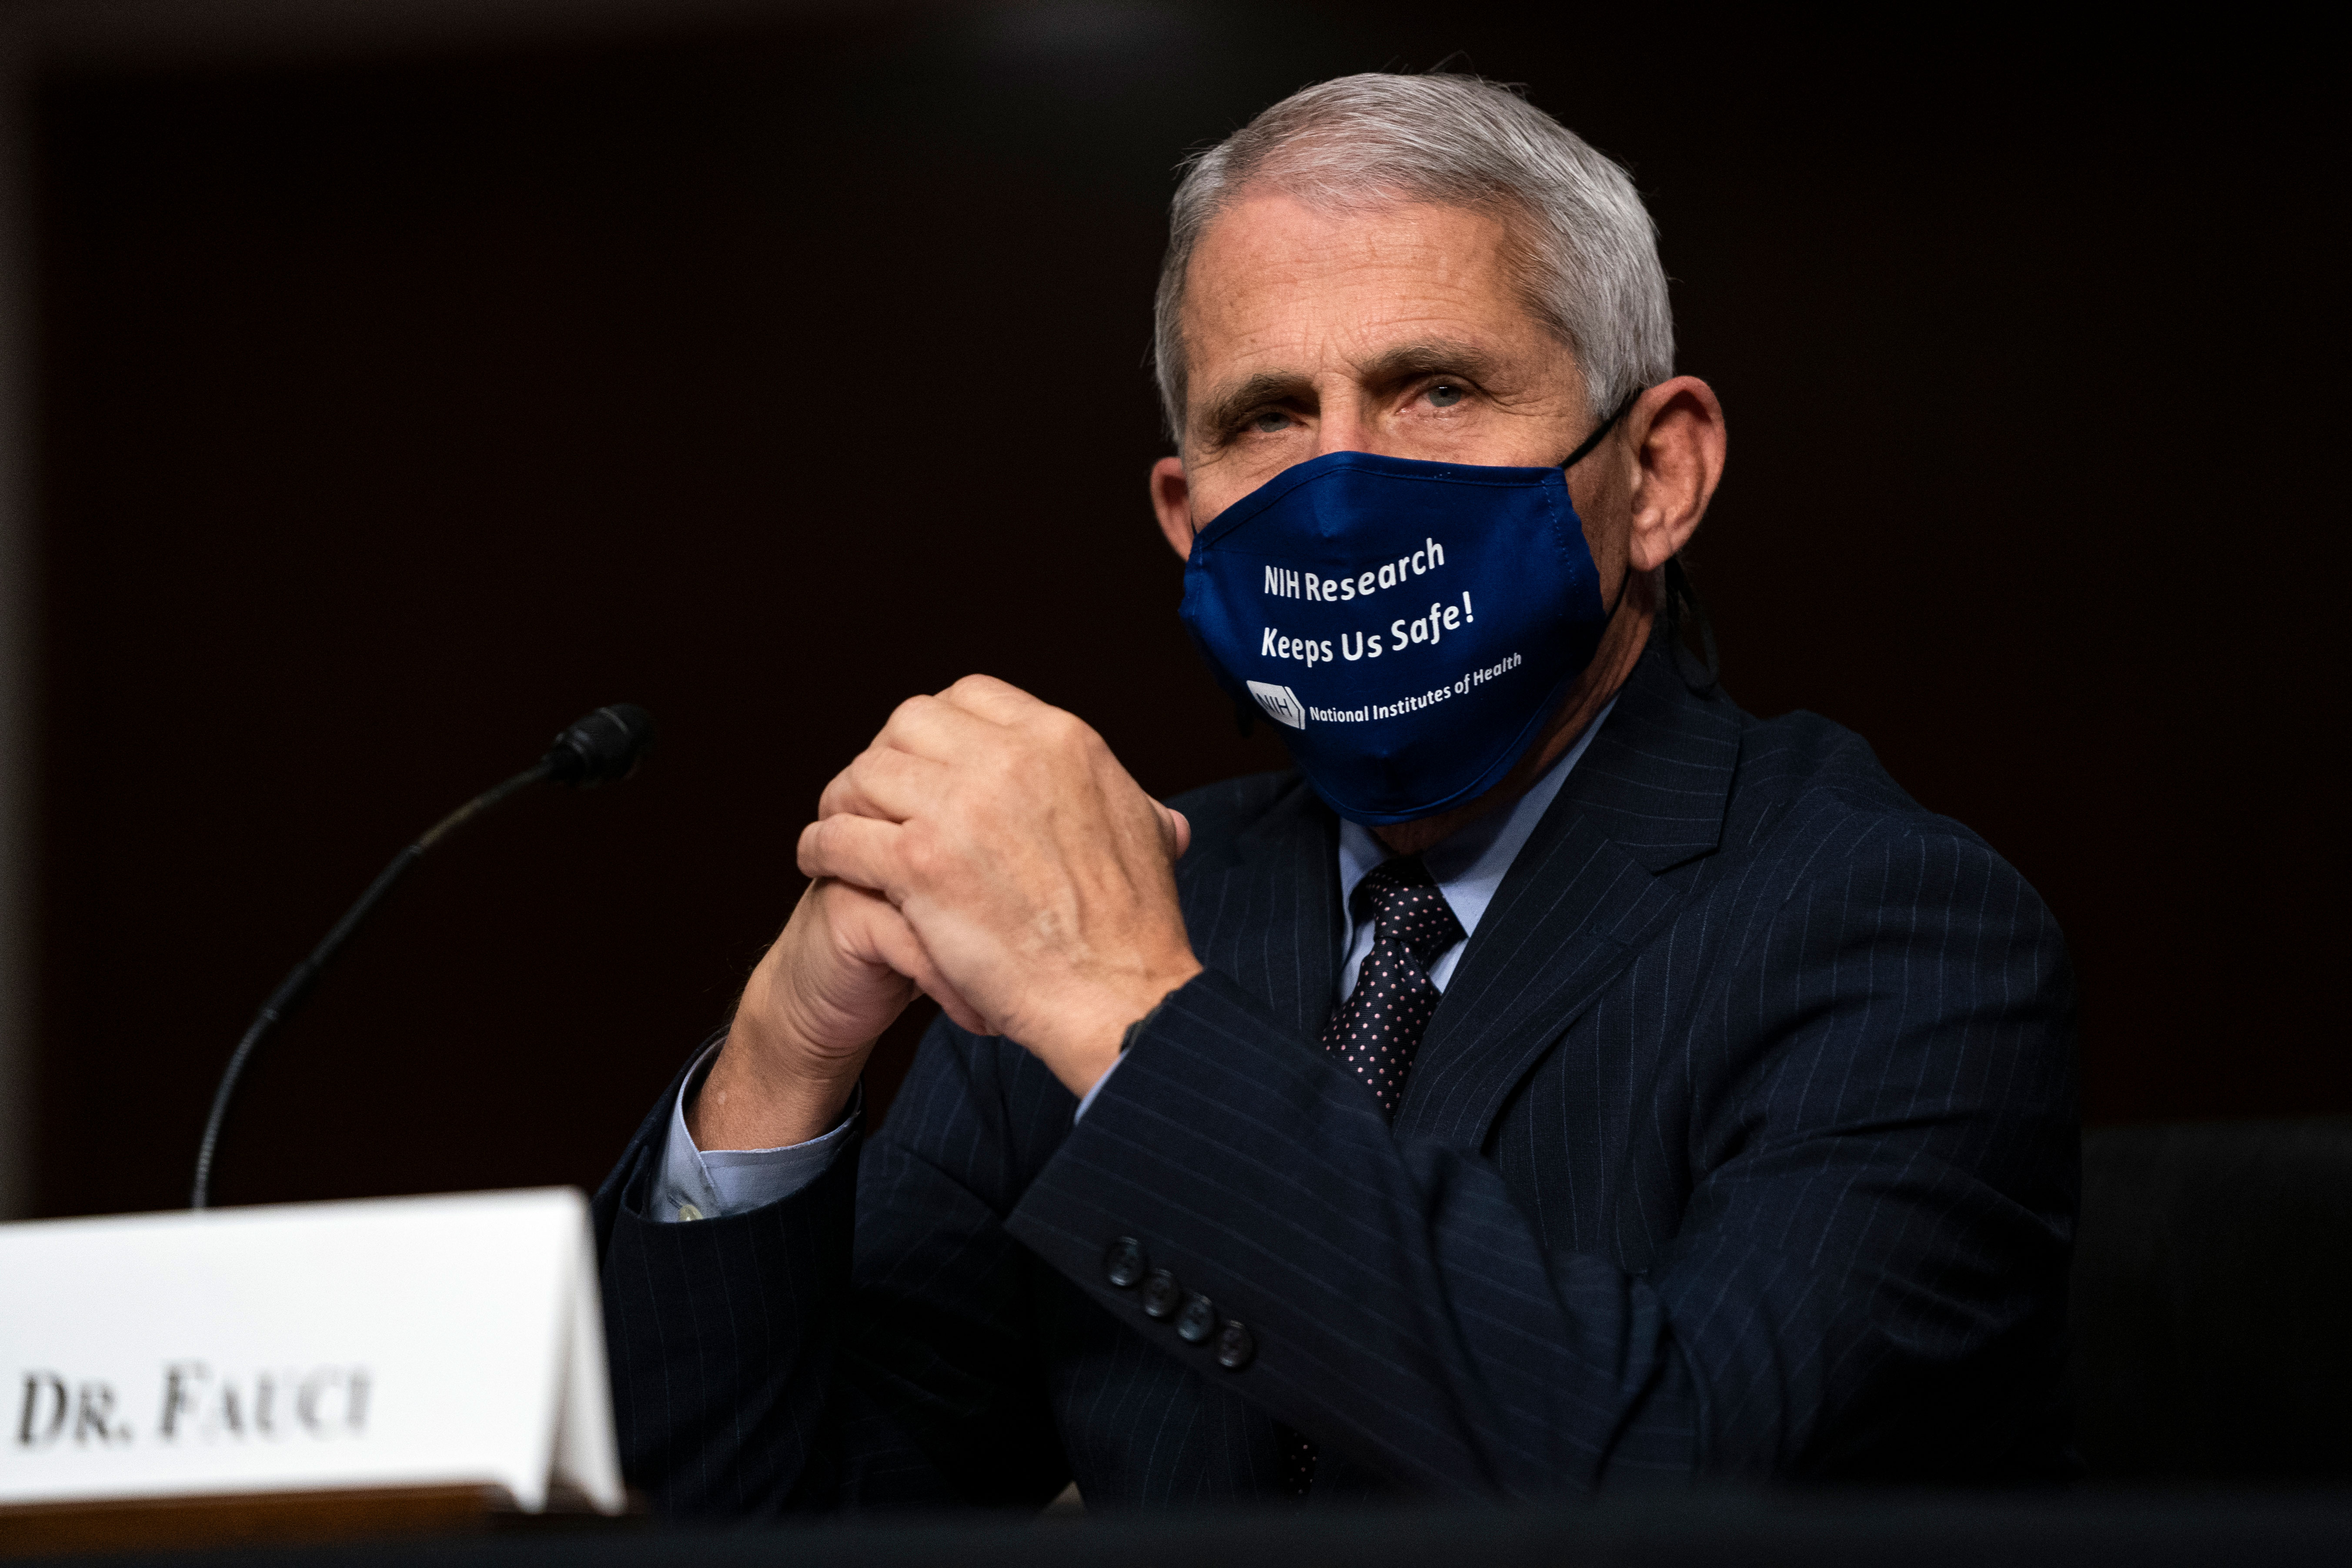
<point x="1862" y="1278"/>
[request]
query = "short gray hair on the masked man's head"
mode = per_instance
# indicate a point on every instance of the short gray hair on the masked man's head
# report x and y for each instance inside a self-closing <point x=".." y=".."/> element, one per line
<point x="1591" y="267"/>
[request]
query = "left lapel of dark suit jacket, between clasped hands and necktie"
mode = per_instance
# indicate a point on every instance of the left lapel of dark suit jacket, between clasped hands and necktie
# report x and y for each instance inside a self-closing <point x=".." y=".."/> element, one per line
<point x="1267" y="916"/>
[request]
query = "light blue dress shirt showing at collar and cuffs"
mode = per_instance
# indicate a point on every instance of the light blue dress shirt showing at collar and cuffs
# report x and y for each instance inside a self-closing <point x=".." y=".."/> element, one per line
<point x="1469" y="869"/>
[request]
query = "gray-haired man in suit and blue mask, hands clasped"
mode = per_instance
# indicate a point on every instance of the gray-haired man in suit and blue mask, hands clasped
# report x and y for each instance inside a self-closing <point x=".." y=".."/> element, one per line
<point x="1561" y="1083"/>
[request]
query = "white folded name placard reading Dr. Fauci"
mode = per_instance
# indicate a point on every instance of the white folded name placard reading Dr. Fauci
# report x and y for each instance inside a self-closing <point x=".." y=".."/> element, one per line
<point x="307" y="1346"/>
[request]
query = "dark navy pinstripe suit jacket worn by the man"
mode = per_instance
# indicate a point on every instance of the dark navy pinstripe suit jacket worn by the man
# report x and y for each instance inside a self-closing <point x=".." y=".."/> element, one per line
<point x="1742" y="1144"/>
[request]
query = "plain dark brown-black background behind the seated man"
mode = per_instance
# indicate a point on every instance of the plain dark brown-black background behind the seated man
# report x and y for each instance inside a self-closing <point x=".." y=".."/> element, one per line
<point x="396" y="410"/>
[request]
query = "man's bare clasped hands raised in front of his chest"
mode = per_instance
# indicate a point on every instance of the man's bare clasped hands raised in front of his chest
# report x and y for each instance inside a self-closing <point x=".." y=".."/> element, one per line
<point x="989" y="852"/>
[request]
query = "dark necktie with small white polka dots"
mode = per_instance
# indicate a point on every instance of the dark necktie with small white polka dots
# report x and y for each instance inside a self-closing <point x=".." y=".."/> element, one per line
<point x="1379" y="1026"/>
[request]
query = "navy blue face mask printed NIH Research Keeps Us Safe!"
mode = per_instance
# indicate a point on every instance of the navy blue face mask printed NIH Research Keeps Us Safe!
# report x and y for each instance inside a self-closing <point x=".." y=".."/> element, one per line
<point x="1410" y="624"/>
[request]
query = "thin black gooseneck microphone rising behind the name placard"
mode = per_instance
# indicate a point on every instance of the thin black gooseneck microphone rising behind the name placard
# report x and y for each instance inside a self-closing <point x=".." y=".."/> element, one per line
<point x="601" y="749"/>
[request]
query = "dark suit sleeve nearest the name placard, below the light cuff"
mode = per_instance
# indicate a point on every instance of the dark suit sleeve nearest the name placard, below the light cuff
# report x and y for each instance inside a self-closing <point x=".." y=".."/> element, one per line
<point x="855" y="1346"/>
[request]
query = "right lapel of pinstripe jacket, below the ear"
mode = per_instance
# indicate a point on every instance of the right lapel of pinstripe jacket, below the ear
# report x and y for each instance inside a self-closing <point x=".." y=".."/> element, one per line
<point x="1645" y="798"/>
